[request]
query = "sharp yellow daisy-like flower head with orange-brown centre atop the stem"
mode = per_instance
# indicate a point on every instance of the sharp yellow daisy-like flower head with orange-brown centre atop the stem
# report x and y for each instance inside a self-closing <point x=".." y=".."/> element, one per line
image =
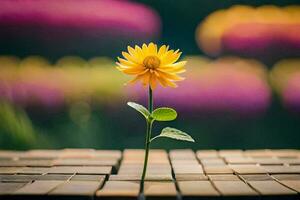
<point x="151" y="65"/>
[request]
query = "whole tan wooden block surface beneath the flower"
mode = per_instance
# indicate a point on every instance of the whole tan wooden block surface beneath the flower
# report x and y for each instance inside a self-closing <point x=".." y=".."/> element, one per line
<point x="177" y="174"/>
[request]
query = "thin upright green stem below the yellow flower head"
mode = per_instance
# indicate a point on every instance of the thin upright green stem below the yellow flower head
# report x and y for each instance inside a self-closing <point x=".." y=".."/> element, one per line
<point x="147" y="139"/>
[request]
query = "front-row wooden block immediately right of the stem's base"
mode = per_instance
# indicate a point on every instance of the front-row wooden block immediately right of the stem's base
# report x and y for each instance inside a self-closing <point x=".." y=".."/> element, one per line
<point x="160" y="190"/>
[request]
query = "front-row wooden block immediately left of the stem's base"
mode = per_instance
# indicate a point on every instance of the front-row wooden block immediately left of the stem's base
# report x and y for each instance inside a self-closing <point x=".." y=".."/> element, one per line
<point x="119" y="190"/>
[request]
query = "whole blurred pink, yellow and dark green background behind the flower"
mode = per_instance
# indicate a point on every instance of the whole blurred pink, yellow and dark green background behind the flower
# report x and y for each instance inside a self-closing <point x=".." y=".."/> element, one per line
<point x="59" y="86"/>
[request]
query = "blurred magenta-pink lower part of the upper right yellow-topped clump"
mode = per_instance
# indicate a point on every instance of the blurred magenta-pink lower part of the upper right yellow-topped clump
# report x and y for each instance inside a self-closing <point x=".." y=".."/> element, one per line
<point x="269" y="42"/>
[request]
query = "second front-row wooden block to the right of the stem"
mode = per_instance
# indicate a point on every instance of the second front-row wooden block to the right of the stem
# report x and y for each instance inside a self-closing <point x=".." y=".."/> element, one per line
<point x="196" y="188"/>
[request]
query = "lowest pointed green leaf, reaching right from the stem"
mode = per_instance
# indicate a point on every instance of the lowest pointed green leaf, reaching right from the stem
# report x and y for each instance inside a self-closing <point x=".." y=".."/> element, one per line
<point x="174" y="134"/>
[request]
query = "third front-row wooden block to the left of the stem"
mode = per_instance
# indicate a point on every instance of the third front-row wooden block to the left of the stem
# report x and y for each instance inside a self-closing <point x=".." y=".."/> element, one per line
<point x="38" y="188"/>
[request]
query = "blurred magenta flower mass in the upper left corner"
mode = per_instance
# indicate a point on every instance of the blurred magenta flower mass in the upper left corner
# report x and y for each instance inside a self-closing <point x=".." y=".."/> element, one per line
<point x="80" y="25"/>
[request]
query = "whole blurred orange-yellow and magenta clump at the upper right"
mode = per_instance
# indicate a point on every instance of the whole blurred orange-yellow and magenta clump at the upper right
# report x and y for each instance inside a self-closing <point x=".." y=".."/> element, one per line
<point x="267" y="32"/>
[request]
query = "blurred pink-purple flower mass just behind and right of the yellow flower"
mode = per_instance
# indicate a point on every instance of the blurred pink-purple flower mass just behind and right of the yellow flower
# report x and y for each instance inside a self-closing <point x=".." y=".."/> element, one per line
<point x="217" y="89"/>
